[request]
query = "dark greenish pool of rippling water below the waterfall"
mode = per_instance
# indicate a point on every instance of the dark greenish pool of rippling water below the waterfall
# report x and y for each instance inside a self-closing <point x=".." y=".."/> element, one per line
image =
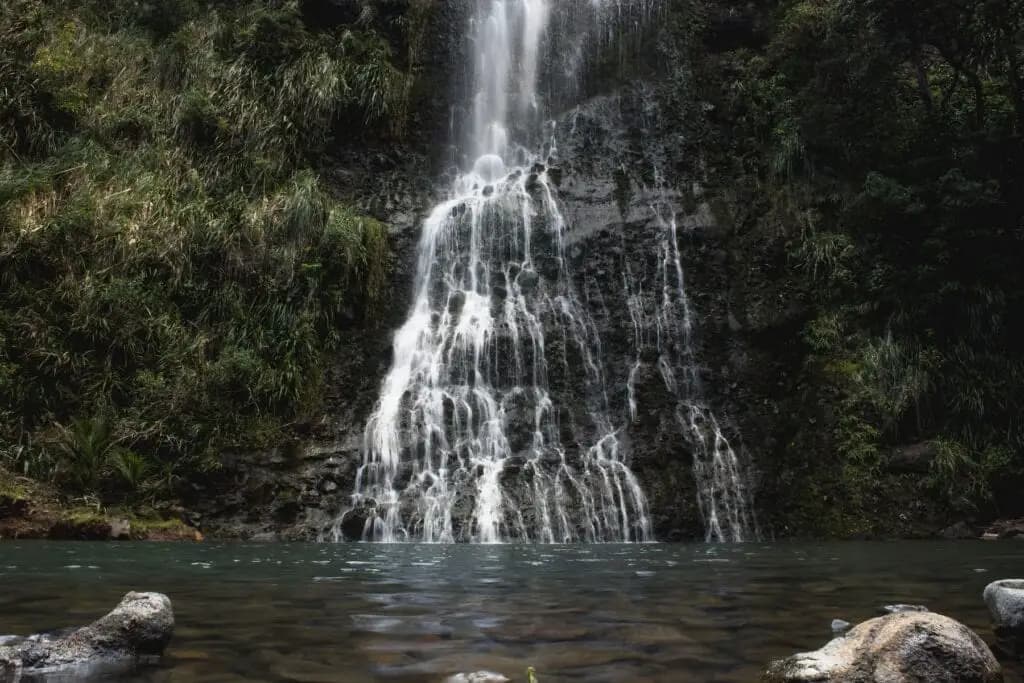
<point x="410" y="614"/>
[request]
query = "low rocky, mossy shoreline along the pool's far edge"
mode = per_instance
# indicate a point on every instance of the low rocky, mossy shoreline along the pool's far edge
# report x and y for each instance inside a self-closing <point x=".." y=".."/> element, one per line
<point x="281" y="498"/>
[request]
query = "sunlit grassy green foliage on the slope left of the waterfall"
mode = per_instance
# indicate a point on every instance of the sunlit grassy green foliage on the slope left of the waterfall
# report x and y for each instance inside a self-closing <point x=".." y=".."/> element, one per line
<point x="174" y="271"/>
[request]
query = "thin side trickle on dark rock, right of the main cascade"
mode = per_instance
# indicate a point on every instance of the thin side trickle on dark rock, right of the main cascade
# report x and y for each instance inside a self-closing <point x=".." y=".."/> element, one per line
<point x="663" y="323"/>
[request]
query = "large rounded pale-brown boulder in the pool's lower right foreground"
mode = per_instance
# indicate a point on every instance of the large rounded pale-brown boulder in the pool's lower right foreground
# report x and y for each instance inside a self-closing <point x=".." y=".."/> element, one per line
<point x="905" y="648"/>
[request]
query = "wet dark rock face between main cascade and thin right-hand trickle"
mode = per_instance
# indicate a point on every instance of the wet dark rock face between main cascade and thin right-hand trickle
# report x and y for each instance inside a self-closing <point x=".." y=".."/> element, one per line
<point x="624" y="178"/>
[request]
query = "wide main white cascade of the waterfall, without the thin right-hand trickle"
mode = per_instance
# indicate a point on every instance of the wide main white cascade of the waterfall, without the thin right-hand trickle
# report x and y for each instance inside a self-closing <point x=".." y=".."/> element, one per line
<point x="467" y="442"/>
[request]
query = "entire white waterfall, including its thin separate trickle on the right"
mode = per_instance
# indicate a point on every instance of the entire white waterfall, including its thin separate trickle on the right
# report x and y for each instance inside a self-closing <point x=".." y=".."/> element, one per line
<point x="494" y="422"/>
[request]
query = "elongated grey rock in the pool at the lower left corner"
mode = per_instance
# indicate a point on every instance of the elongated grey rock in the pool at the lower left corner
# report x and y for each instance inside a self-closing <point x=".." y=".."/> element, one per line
<point x="137" y="631"/>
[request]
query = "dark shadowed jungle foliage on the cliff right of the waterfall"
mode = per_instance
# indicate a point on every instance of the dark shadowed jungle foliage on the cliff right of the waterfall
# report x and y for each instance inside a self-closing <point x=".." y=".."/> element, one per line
<point x="874" y="150"/>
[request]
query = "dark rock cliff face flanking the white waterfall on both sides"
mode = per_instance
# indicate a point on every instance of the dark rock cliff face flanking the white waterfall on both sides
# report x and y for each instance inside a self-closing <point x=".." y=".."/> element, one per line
<point x="645" y="142"/>
